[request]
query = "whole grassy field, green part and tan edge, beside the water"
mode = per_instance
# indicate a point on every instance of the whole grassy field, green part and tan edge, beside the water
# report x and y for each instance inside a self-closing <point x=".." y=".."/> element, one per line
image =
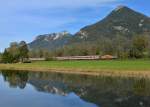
<point x="113" y="67"/>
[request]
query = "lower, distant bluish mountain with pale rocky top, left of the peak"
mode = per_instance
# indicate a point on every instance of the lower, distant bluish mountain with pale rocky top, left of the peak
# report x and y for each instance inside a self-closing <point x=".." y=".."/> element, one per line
<point x="50" y="41"/>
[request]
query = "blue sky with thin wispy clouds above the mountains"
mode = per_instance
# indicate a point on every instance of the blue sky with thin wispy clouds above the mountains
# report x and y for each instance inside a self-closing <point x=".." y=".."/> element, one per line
<point x="25" y="19"/>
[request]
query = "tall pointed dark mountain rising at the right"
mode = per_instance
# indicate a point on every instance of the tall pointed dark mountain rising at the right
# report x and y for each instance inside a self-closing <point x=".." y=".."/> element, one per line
<point x="121" y="21"/>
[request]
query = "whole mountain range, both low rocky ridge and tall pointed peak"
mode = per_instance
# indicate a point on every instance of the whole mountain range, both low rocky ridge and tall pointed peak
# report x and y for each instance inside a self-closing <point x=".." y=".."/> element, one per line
<point x="122" y="21"/>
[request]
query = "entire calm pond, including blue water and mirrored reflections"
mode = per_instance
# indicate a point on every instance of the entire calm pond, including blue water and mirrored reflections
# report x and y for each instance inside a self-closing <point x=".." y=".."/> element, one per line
<point x="41" y="89"/>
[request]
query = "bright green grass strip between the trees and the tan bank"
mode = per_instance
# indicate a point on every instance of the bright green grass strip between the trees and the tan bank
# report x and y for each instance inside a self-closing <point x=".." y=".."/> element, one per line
<point x="109" y="65"/>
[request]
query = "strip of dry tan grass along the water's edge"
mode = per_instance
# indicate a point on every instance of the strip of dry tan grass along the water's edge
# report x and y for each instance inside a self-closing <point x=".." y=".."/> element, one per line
<point x="112" y="73"/>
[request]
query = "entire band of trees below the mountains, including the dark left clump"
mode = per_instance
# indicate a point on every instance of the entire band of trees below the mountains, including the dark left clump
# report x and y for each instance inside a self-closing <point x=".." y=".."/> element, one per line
<point x="120" y="46"/>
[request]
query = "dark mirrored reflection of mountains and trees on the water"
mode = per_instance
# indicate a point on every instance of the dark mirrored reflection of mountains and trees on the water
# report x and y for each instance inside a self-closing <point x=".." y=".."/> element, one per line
<point x="102" y="91"/>
